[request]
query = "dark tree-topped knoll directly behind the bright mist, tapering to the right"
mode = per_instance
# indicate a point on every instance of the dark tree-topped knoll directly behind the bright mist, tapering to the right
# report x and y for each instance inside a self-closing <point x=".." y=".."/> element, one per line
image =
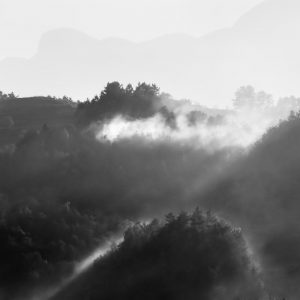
<point x="142" y="102"/>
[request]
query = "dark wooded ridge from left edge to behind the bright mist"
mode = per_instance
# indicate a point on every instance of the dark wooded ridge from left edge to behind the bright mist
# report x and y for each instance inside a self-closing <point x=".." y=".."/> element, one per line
<point x="142" y="102"/>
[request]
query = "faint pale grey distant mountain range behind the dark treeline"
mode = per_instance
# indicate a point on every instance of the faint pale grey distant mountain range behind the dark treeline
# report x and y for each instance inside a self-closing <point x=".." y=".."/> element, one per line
<point x="260" y="49"/>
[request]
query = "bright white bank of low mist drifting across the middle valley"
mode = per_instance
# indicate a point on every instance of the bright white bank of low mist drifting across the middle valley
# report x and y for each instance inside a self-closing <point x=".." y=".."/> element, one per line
<point x="234" y="130"/>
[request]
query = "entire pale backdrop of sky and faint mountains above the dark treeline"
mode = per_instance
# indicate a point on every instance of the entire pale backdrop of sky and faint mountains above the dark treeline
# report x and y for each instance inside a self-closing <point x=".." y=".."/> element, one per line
<point x="198" y="50"/>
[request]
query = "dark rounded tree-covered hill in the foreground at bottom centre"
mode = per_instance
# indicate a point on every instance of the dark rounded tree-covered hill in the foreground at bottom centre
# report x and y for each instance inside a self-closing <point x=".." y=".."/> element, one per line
<point x="189" y="257"/>
